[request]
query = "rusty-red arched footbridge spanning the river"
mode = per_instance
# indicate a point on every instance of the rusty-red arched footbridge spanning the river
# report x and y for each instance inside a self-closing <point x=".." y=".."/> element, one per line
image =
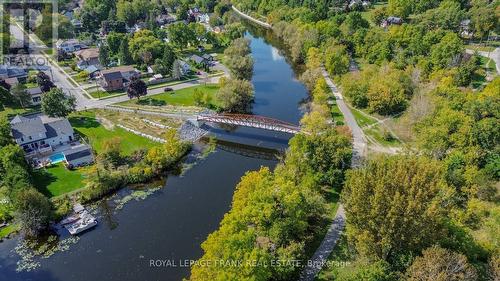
<point x="252" y="121"/>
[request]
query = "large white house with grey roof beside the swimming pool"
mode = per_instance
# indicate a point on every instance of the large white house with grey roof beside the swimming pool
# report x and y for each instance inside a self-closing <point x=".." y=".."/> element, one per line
<point x="41" y="133"/>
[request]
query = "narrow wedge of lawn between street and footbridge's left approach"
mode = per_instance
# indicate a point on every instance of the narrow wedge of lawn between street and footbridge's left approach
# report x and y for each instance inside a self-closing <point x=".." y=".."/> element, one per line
<point x="183" y="97"/>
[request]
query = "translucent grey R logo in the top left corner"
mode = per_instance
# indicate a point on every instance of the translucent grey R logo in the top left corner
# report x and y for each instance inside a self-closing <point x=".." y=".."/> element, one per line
<point x="28" y="28"/>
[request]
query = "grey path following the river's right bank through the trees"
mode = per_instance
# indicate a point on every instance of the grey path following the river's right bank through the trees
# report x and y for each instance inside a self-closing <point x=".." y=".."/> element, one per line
<point x="321" y="255"/>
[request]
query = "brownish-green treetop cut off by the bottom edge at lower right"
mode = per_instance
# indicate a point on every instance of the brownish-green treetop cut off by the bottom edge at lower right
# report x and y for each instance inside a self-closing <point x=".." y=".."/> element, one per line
<point x="438" y="264"/>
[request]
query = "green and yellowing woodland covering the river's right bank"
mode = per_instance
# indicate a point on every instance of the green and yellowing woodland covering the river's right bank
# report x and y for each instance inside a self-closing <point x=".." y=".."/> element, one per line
<point x="431" y="212"/>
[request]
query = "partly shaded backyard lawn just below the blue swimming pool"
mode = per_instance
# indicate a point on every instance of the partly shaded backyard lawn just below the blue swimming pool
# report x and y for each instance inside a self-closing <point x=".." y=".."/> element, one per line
<point x="58" y="180"/>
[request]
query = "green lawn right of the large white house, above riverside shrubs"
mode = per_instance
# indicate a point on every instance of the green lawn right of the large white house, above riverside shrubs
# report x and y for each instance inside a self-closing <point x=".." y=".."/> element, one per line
<point x="86" y="125"/>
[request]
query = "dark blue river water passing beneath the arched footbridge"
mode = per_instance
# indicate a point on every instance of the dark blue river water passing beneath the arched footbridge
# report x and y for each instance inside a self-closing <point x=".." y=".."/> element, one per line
<point x="171" y="224"/>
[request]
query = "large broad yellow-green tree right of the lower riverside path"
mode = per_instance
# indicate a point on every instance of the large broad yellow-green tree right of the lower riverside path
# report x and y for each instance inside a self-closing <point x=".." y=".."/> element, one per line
<point x="395" y="206"/>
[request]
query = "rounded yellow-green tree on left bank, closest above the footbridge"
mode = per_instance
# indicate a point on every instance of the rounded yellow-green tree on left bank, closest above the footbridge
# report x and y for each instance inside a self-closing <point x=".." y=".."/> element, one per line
<point x="235" y="95"/>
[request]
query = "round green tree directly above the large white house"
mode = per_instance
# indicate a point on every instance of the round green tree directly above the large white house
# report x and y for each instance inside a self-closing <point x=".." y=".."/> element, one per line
<point x="56" y="104"/>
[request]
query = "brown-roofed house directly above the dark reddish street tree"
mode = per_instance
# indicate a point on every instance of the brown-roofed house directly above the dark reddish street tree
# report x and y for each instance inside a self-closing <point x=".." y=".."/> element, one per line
<point x="117" y="78"/>
